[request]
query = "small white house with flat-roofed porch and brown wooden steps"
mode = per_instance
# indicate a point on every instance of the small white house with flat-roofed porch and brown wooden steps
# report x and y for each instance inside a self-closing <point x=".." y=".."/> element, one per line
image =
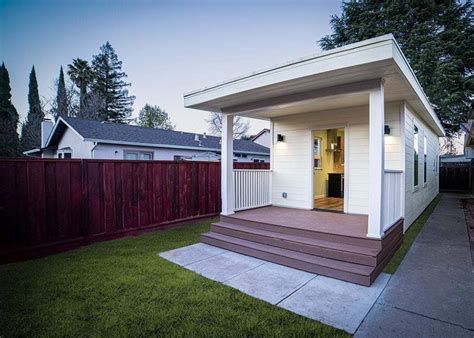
<point x="352" y="131"/>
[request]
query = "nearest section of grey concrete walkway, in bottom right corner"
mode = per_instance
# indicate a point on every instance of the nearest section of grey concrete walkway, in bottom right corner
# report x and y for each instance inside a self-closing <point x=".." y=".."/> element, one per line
<point x="384" y="321"/>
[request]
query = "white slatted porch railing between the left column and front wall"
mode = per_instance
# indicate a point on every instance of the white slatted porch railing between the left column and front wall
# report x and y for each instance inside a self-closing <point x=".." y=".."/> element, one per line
<point x="251" y="188"/>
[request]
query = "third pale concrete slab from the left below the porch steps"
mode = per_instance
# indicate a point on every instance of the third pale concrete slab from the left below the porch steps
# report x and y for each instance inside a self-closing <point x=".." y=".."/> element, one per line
<point x="270" y="282"/>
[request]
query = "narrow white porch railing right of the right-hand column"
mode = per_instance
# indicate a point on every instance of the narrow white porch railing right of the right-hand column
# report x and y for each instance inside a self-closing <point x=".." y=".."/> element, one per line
<point x="392" y="202"/>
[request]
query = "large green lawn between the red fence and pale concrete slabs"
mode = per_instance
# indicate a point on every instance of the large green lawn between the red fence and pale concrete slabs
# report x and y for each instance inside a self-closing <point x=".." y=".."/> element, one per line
<point x="122" y="288"/>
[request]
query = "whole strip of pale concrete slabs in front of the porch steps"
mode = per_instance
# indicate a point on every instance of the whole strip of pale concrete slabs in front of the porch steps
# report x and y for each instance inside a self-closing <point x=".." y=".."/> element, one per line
<point x="333" y="302"/>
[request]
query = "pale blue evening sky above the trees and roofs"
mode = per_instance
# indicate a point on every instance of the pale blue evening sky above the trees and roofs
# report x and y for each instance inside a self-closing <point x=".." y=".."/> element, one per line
<point x="167" y="47"/>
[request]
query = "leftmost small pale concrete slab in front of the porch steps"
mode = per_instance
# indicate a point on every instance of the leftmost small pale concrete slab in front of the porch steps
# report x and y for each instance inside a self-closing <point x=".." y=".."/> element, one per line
<point x="191" y="254"/>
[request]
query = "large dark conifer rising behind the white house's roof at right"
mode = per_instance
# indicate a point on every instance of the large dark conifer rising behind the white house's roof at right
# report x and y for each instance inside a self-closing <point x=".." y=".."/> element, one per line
<point x="436" y="37"/>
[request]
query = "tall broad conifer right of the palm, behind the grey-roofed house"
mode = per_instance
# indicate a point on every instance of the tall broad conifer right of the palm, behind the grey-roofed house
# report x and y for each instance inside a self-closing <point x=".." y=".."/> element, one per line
<point x="109" y="83"/>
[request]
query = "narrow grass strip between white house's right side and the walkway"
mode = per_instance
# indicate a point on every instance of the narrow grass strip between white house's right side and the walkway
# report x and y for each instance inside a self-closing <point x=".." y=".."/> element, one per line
<point x="410" y="237"/>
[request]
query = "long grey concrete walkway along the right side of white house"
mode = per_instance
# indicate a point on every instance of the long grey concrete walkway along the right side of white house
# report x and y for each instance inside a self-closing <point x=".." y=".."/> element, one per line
<point x="432" y="292"/>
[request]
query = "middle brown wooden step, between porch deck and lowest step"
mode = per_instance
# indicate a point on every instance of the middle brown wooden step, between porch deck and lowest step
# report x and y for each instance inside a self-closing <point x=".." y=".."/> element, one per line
<point x="330" y="245"/>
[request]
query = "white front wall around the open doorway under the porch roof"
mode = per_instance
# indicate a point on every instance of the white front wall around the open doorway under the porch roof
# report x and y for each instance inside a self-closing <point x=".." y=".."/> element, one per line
<point x="292" y="159"/>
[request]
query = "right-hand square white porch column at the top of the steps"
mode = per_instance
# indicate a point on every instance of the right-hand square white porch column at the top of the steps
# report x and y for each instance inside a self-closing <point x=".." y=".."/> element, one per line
<point x="376" y="160"/>
